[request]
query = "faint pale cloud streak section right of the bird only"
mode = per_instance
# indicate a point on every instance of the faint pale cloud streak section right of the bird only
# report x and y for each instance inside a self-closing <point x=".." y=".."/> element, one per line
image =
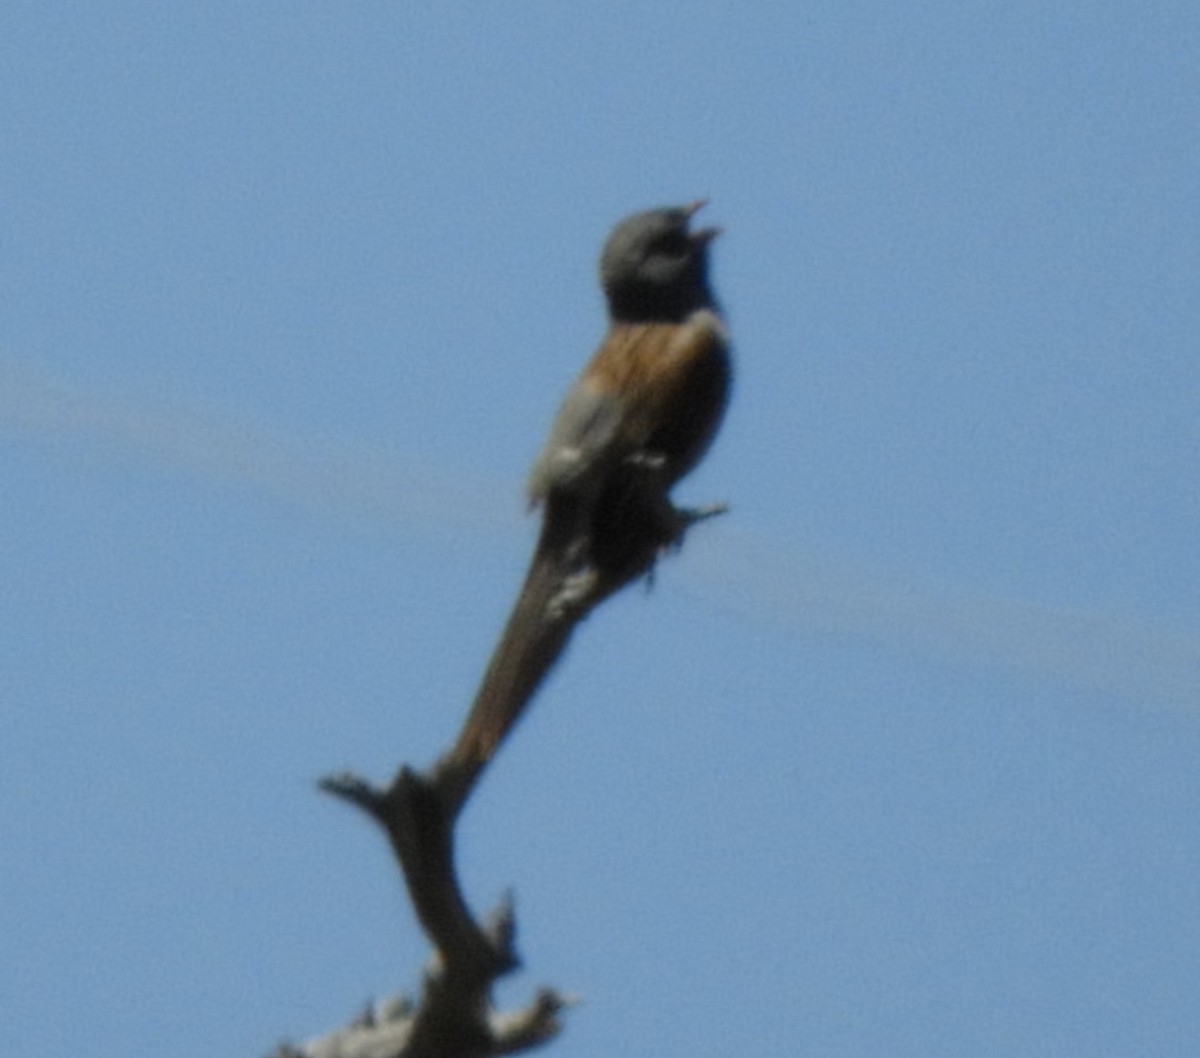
<point x="1136" y="662"/>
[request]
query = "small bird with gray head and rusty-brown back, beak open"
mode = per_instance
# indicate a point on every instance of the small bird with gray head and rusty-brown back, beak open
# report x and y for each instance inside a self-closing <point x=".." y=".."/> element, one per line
<point x="649" y="402"/>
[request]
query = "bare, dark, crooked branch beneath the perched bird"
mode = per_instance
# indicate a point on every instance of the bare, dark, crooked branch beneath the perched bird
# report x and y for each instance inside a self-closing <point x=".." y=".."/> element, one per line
<point x="584" y="555"/>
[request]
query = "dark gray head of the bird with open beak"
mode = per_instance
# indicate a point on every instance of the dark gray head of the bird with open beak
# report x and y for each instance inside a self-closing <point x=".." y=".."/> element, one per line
<point x="653" y="269"/>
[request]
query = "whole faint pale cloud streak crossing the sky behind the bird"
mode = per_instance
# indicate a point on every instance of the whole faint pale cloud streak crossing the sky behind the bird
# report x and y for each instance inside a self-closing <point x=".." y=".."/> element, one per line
<point x="769" y="579"/>
